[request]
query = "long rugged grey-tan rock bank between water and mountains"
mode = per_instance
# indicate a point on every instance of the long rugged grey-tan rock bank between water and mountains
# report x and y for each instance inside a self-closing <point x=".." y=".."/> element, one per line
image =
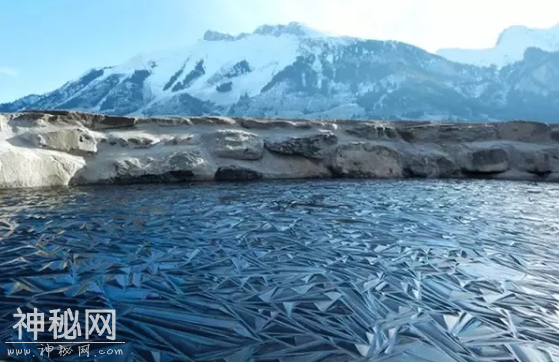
<point x="55" y="148"/>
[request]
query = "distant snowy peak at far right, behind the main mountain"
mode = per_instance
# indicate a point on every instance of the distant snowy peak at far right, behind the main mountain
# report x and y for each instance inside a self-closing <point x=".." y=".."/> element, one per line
<point x="510" y="47"/>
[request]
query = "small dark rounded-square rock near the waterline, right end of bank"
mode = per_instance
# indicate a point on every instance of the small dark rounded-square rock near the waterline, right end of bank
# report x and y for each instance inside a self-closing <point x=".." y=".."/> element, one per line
<point x="486" y="161"/>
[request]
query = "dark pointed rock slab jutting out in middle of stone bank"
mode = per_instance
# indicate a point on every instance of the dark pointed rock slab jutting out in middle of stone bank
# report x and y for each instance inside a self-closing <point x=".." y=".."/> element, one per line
<point x="316" y="146"/>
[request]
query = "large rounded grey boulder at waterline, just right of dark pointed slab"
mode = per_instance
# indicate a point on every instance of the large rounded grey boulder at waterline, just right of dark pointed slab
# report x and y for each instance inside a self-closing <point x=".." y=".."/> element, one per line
<point x="365" y="160"/>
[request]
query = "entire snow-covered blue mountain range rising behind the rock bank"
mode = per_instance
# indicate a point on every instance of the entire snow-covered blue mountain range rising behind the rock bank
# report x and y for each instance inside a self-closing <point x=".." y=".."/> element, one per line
<point x="292" y="71"/>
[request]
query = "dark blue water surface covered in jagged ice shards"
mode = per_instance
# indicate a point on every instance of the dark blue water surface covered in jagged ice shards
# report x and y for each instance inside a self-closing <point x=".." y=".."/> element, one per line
<point x="294" y="271"/>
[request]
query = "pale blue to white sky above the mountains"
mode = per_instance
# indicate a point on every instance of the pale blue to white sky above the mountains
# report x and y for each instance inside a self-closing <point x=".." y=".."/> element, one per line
<point x="45" y="43"/>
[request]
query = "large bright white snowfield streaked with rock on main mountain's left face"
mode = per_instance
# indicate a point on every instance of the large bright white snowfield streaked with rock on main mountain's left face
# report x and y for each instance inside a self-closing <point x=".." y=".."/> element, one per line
<point x="264" y="54"/>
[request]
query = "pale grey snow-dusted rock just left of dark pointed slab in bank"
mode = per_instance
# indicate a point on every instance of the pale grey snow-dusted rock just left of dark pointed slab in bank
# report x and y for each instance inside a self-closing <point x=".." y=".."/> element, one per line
<point x="235" y="144"/>
